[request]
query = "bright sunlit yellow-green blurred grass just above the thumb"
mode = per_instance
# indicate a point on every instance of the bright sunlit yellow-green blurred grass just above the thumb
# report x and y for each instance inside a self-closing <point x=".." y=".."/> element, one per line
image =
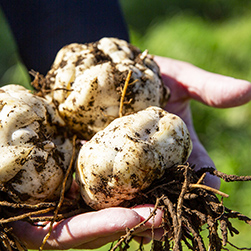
<point x="218" y="47"/>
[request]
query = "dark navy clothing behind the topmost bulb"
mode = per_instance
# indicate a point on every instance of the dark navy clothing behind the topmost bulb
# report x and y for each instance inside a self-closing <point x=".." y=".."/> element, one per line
<point x="42" y="27"/>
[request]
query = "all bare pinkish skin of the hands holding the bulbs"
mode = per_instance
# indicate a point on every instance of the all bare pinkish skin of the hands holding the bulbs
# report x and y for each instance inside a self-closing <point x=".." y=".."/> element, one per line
<point x="94" y="229"/>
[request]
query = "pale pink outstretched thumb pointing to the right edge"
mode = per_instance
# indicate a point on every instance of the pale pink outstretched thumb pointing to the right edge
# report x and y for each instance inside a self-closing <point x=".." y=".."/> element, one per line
<point x="210" y="88"/>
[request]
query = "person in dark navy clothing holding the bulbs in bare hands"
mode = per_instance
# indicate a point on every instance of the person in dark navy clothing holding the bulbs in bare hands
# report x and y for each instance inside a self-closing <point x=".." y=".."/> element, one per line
<point x="41" y="28"/>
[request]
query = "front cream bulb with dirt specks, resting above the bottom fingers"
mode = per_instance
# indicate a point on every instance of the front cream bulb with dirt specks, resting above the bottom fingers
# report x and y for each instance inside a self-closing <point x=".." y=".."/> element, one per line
<point x="129" y="154"/>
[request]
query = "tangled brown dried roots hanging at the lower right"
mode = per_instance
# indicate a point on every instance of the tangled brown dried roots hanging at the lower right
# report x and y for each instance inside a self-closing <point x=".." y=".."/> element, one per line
<point x="187" y="206"/>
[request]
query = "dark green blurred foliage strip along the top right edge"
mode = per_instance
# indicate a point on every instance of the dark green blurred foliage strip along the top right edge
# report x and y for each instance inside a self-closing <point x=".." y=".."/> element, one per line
<point x="142" y="13"/>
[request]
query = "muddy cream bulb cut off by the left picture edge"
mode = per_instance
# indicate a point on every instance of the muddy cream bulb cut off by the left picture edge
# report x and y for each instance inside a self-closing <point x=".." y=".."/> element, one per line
<point x="33" y="156"/>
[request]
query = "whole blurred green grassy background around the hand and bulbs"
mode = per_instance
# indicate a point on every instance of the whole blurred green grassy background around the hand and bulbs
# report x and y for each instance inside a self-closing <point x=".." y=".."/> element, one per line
<point x="212" y="34"/>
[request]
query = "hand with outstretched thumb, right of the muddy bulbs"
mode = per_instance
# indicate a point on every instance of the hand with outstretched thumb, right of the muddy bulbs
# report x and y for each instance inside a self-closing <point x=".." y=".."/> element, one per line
<point x="189" y="82"/>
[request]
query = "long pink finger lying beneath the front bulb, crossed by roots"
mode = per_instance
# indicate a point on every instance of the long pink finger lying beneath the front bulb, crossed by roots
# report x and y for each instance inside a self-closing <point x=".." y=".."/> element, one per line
<point x="79" y="229"/>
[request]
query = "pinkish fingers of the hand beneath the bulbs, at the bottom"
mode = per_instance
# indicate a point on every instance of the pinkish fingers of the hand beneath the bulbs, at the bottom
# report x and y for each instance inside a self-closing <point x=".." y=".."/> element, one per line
<point x="93" y="229"/>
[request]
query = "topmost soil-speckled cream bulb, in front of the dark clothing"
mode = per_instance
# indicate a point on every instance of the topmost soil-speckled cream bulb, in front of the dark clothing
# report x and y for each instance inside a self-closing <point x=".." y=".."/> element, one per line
<point x="86" y="81"/>
